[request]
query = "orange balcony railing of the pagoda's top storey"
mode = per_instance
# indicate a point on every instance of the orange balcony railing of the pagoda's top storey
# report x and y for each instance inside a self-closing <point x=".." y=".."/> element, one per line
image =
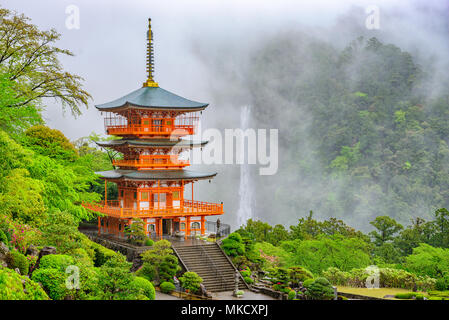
<point x="140" y="130"/>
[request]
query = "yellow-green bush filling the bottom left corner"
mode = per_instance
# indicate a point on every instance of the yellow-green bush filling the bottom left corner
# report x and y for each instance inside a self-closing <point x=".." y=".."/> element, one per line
<point x="16" y="287"/>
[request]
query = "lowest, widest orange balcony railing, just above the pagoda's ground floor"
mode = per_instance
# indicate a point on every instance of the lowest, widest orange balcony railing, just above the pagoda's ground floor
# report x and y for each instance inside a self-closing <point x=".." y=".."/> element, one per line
<point x="113" y="208"/>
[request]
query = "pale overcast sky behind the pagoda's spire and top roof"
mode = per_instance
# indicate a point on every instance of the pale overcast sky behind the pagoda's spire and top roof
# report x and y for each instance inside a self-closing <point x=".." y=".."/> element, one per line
<point x="109" y="47"/>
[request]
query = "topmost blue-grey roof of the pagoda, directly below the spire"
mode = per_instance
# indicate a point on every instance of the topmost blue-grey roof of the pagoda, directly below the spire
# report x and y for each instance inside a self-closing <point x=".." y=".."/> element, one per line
<point x="152" y="98"/>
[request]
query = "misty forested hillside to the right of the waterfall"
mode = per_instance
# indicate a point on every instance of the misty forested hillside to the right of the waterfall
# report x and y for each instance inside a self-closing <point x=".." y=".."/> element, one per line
<point x="363" y="131"/>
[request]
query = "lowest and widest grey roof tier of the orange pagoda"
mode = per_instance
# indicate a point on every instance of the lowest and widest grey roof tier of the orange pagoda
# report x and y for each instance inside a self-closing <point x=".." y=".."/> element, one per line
<point x="163" y="175"/>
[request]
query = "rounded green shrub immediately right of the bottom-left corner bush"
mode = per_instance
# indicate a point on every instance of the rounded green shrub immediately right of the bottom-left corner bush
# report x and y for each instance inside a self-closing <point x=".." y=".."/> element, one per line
<point x="53" y="281"/>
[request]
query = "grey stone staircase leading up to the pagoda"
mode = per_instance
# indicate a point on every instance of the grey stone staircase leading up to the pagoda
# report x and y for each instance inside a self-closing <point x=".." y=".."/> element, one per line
<point x="211" y="264"/>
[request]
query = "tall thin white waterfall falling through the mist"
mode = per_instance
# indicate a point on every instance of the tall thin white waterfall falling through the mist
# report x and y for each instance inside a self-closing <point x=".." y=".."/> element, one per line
<point x="245" y="189"/>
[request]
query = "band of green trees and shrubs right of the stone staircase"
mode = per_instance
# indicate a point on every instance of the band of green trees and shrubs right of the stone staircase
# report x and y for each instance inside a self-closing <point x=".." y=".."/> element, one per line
<point x="414" y="257"/>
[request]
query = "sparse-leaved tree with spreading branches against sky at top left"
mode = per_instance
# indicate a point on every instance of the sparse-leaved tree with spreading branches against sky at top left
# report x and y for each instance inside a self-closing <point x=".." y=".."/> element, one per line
<point x="30" y="58"/>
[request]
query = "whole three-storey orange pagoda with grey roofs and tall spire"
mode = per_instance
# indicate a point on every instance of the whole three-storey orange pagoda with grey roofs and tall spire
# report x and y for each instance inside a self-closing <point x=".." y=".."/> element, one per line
<point x="152" y="124"/>
